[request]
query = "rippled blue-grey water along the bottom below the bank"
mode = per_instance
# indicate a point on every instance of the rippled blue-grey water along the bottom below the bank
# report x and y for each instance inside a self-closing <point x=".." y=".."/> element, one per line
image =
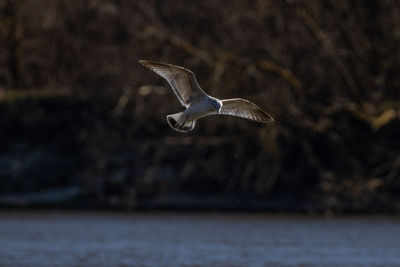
<point x="201" y="239"/>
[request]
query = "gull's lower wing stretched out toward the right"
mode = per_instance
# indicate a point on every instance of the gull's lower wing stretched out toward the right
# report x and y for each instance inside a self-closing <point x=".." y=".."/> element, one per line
<point x="245" y="109"/>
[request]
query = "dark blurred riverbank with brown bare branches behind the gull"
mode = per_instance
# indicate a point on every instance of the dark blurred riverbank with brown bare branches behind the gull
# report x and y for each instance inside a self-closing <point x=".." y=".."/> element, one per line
<point x="83" y="125"/>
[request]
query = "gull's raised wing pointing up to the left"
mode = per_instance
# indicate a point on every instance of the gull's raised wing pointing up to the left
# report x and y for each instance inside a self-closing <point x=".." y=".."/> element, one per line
<point x="182" y="81"/>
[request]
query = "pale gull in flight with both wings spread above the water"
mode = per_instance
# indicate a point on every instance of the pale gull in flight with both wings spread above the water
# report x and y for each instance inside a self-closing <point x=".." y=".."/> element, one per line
<point x="198" y="104"/>
